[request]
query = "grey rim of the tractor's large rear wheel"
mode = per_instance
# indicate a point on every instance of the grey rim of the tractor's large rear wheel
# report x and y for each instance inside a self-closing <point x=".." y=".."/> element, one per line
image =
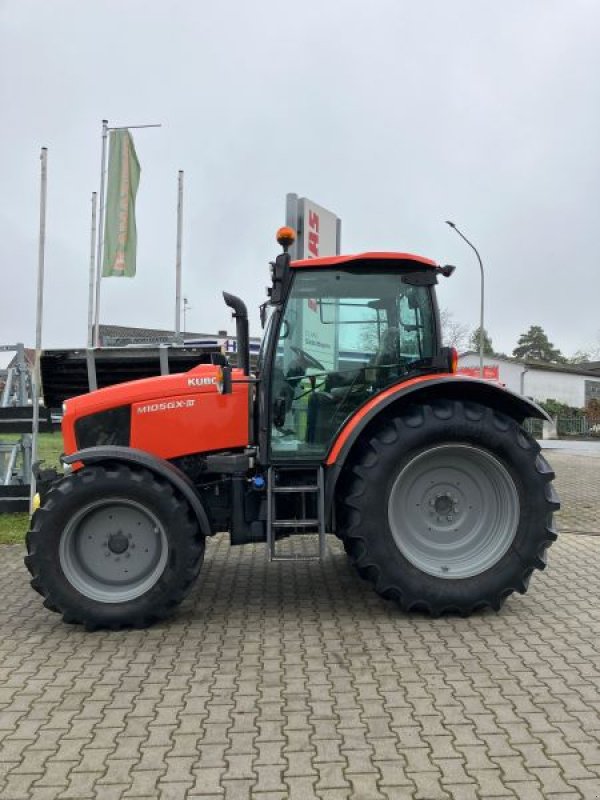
<point x="453" y="511"/>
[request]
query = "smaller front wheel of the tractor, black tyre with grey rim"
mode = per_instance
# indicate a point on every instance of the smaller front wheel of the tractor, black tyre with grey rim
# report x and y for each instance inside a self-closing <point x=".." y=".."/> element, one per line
<point x="113" y="546"/>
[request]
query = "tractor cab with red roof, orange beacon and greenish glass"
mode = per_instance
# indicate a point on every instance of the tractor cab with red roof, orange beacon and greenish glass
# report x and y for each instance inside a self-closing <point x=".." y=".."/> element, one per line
<point x="341" y="330"/>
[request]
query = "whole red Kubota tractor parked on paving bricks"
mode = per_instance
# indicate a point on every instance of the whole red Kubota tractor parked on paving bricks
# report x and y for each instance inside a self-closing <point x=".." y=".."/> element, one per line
<point x="353" y="422"/>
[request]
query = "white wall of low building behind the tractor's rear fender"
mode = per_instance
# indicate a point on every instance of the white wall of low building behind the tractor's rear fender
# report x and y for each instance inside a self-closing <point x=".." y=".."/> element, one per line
<point x="572" y="384"/>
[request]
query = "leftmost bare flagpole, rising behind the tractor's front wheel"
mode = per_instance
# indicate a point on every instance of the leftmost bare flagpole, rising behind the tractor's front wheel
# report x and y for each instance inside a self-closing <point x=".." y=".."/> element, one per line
<point x="35" y="382"/>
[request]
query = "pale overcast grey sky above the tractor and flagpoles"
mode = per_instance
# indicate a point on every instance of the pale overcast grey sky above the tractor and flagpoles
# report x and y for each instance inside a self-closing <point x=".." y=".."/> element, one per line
<point x="396" y="115"/>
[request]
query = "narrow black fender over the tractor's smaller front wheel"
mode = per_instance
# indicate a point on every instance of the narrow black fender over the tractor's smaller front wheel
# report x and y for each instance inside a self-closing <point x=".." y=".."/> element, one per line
<point x="130" y="455"/>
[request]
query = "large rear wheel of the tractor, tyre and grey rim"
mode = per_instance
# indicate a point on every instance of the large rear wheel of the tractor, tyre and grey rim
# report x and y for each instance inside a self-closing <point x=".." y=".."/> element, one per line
<point x="447" y="507"/>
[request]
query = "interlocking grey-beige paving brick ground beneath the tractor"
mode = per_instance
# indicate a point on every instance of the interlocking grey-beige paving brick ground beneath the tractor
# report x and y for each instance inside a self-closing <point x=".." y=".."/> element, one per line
<point x="298" y="682"/>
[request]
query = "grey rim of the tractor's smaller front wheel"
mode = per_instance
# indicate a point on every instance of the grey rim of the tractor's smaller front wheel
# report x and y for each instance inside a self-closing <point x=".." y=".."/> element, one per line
<point x="113" y="550"/>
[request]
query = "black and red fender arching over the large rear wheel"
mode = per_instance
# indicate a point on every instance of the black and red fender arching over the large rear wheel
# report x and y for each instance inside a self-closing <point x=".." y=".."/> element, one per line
<point x="423" y="390"/>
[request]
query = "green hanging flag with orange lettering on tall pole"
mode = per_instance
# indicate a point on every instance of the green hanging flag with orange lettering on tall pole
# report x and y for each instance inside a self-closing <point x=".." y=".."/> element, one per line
<point x="120" y="235"/>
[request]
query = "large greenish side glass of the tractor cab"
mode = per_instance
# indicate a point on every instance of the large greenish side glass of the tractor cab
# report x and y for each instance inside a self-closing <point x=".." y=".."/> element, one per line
<point x="344" y="336"/>
